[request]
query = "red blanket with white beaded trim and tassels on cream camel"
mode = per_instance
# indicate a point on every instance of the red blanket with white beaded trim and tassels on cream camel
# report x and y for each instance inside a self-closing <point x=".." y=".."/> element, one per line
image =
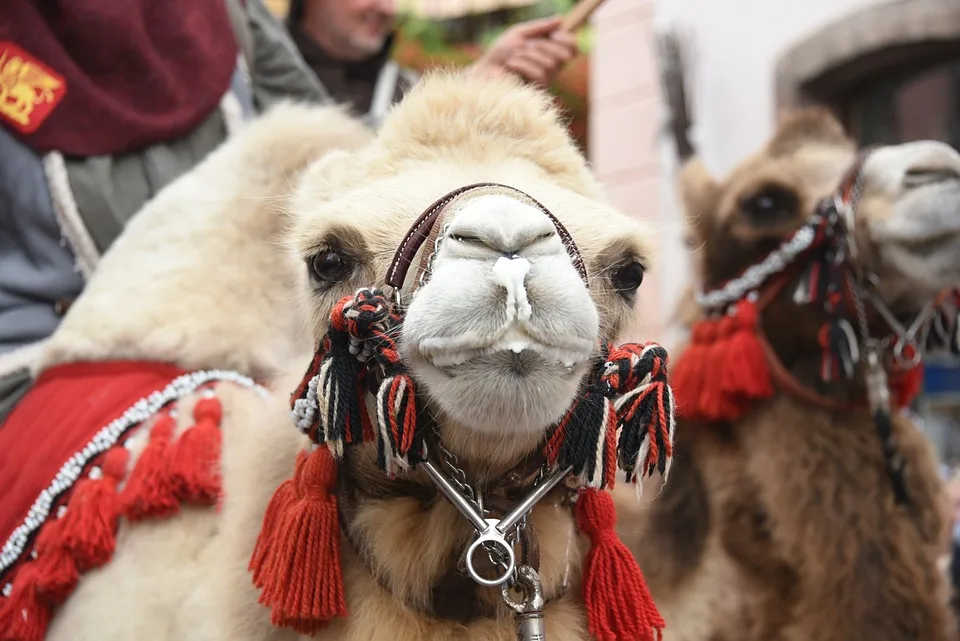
<point x="67" y="477"/>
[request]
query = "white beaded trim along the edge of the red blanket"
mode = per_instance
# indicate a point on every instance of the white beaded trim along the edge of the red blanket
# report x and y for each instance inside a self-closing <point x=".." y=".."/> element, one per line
<point x="106" y="438"/>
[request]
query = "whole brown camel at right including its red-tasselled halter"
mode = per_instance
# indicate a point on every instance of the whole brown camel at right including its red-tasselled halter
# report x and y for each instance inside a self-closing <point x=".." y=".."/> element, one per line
<point x="789" y="515"/>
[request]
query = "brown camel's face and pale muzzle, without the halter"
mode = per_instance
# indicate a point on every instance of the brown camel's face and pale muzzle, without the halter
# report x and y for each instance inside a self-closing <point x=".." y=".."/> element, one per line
<point x="907" y="216"/>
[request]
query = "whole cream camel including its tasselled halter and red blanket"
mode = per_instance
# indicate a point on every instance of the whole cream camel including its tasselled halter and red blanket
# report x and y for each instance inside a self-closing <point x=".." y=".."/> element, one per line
<point x="247" y="264"/>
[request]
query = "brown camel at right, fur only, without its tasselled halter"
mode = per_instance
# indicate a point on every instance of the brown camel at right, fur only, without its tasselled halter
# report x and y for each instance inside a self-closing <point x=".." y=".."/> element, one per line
<point x="782" y="524"/>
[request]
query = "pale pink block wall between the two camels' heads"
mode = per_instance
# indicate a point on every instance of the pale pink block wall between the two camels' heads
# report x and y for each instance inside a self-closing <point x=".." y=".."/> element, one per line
<point x="624" y="117"/>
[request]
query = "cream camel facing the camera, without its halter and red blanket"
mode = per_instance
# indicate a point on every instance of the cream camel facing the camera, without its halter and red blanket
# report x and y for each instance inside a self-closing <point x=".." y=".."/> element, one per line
<point x="499" y="339"/>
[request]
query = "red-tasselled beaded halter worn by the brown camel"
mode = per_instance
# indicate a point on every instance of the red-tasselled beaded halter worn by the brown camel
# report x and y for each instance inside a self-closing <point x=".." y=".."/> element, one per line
<point x="729" y="363"/>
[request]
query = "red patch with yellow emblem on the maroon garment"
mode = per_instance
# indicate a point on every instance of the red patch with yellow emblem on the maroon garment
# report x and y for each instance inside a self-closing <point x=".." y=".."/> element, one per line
<point x="29" y="90"/>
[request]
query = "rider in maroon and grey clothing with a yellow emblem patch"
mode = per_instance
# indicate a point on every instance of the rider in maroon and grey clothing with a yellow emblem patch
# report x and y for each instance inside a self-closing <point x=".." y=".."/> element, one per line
<point x="101" y="106"/>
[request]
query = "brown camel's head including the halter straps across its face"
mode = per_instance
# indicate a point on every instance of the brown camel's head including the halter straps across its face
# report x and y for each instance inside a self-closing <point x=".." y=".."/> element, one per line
<point x="893" y="211"/>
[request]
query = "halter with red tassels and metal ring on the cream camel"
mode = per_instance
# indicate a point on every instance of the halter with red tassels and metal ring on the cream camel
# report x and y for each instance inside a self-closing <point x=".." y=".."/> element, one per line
<point x="622" y="418"/>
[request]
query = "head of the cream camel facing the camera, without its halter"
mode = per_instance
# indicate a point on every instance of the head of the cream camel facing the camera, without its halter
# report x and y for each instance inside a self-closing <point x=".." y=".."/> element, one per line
<point x="507" y="300"/>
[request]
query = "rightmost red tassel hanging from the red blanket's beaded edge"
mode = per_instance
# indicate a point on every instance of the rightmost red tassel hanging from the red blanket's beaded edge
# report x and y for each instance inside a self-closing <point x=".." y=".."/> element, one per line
<point x="195" y="460"/>
